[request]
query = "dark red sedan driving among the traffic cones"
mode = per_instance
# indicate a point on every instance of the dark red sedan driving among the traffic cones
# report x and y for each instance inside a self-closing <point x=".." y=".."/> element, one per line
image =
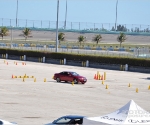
<point x="69" y="77"/>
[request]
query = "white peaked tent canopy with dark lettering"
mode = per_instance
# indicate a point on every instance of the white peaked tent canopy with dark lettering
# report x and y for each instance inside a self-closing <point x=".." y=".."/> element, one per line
<point x="131" y="114"/>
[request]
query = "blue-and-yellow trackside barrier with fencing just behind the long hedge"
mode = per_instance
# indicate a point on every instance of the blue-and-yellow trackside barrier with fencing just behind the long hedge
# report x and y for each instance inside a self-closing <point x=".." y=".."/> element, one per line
<point x="106" y="51"/>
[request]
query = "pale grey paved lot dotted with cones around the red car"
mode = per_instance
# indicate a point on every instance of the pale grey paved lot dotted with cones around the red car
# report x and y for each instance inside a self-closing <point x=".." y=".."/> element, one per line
<point x="31" y="101"/>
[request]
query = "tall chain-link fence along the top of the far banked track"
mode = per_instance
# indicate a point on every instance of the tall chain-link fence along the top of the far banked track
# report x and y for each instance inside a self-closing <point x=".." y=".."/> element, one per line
<point x="84" y="26"/>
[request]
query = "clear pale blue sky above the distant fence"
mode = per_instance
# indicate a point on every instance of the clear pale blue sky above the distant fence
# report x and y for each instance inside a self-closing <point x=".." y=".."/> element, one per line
<point x="94" y="11"/>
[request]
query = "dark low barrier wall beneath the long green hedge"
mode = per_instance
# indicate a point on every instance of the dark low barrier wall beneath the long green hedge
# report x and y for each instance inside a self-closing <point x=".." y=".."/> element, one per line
<point x="78" y="63"/>
